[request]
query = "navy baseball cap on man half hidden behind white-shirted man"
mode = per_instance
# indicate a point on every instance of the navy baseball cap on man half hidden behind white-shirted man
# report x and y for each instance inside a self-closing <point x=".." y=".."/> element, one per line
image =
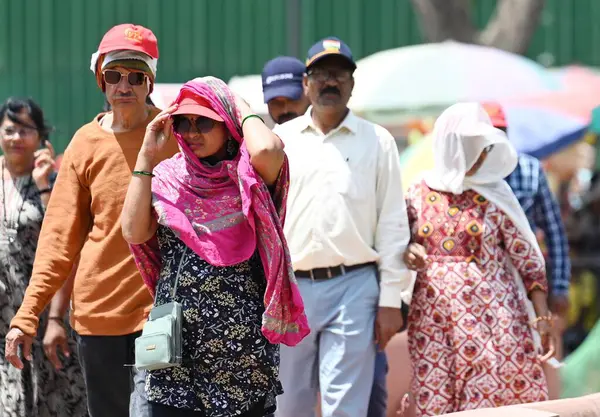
<point x="282" y="77"/>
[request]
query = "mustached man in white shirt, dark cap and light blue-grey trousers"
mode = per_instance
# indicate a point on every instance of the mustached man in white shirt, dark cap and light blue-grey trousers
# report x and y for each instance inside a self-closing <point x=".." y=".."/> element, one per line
<point x="347" y="229"/>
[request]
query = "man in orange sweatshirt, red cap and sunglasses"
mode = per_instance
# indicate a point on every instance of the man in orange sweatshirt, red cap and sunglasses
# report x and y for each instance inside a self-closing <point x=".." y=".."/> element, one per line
<point x="109" y="301"/>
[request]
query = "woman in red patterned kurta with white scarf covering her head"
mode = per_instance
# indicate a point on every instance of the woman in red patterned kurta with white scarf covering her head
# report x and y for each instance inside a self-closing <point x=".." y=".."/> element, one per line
<point x="474" y="338"/>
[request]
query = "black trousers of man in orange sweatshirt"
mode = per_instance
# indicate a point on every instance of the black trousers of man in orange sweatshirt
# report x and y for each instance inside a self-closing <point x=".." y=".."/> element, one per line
<point x="114" y="388"/>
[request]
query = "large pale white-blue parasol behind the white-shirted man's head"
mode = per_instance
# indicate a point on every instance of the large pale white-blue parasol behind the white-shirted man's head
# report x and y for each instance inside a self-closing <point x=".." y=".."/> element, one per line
<point x="441" y="74"/>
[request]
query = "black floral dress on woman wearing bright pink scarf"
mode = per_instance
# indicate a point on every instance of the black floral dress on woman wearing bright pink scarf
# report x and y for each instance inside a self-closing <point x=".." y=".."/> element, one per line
<point x="228" y="365"/>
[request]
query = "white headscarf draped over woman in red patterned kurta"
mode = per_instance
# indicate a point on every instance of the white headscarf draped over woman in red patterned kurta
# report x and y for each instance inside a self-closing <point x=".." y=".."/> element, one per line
<point x="460" y="134"/>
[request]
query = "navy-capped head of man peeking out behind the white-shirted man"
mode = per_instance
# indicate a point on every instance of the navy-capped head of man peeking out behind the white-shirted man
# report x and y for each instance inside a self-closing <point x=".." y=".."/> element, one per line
<point x="282" y="88"/>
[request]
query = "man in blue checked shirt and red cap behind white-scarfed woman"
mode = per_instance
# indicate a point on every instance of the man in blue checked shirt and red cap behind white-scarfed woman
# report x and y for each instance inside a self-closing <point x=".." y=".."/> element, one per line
<point x="529" y="183"/>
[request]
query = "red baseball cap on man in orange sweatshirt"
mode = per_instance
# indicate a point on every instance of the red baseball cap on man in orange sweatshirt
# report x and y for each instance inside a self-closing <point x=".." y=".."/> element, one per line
<point x="130" y="37"/>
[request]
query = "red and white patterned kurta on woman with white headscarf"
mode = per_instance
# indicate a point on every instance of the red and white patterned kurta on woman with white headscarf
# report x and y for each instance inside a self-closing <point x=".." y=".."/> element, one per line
<point x="470" y="340"/>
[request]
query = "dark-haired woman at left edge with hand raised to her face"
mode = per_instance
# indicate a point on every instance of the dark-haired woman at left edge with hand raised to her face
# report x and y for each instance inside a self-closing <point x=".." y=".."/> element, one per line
<point x="42" y="387"/>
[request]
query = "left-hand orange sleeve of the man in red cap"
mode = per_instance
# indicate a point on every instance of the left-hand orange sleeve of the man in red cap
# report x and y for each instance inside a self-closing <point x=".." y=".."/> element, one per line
<point x="64" y="230"/>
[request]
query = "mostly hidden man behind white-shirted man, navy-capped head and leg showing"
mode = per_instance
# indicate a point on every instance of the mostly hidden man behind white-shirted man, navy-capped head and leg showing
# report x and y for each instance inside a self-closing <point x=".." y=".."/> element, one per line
<point x="284" y="95"/>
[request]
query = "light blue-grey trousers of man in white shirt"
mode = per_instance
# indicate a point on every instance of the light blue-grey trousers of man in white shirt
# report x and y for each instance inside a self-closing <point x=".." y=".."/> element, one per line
<point x="338" y="357"/>
